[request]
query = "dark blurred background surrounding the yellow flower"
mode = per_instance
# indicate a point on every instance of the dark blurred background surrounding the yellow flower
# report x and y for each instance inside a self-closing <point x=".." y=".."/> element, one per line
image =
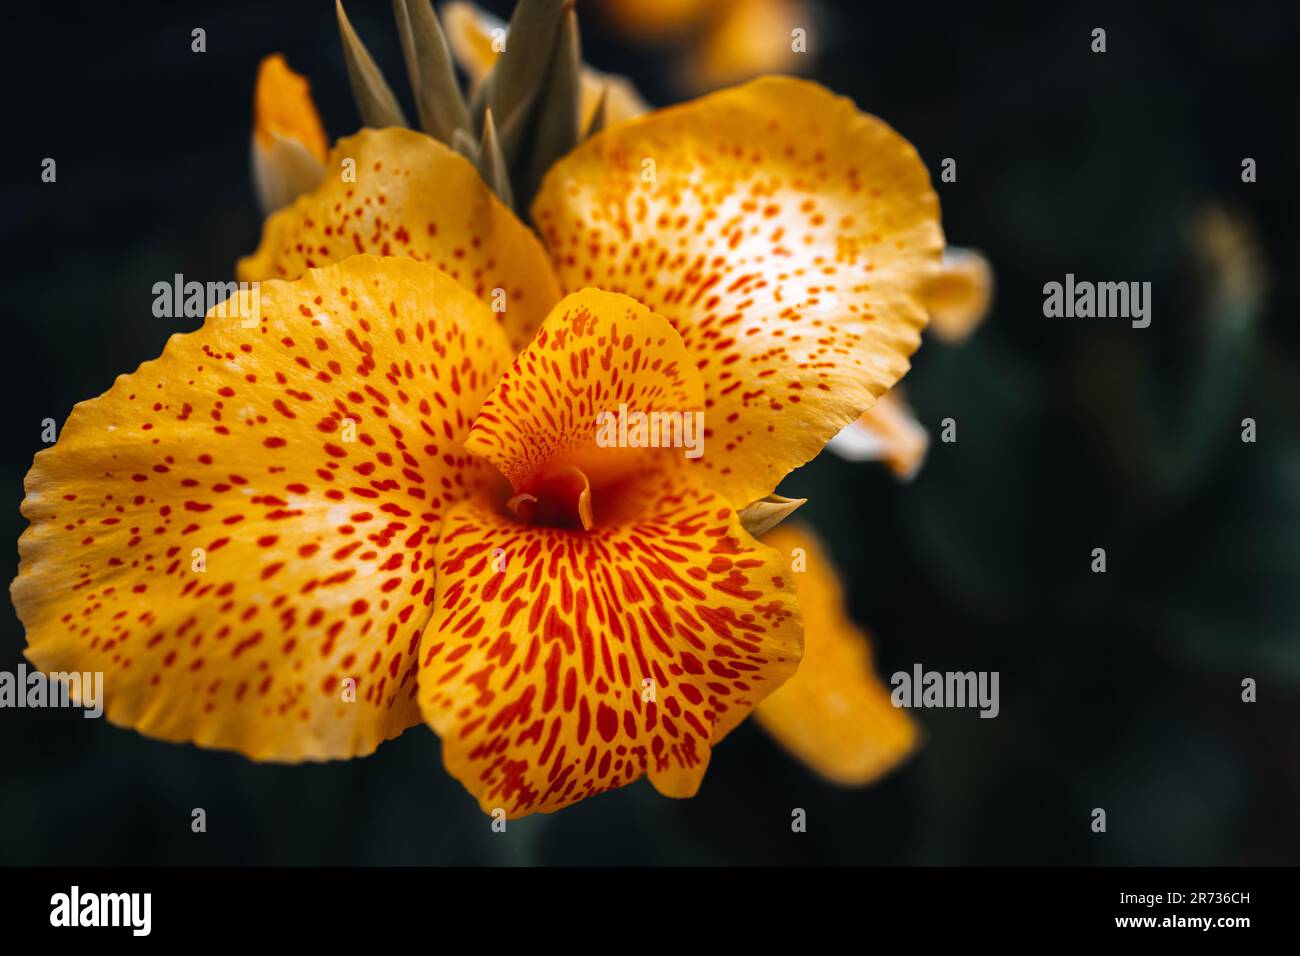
<point x="1120" y="691"/>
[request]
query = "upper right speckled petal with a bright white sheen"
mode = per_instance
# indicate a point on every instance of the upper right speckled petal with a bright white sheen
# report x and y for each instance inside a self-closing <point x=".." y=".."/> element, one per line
<point x="786" y="236"/>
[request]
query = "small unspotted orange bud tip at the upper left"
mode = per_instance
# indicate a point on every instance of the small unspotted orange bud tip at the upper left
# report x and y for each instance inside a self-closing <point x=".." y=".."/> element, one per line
<point x="288" y="139"/>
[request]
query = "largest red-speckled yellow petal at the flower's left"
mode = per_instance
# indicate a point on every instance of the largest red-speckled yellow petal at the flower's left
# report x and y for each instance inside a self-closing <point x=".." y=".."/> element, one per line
<point x="216" y="538"/>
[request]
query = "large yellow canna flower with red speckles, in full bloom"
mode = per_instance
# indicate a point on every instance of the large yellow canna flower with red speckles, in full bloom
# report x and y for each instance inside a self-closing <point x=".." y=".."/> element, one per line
<point x="371" y="495"/>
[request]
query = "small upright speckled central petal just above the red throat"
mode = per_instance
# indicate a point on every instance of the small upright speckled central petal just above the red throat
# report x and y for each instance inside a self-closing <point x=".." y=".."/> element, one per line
<point x="597" y="358"/>
